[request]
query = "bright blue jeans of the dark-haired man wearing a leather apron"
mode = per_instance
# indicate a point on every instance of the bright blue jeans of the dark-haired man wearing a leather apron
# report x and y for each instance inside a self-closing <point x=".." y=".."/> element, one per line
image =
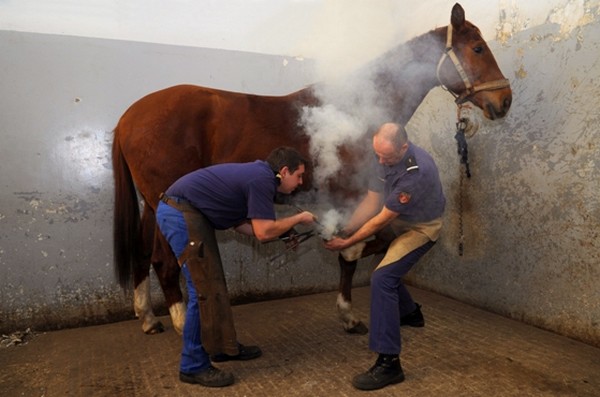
<point x="193" y="356"/>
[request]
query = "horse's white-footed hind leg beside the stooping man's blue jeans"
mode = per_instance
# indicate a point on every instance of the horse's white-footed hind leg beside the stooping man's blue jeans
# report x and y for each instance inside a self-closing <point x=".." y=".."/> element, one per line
<point x="168" y="271"/>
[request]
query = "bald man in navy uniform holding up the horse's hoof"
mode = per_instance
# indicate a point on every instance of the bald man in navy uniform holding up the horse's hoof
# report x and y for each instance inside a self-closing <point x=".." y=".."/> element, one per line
<point x="406" y="195"/>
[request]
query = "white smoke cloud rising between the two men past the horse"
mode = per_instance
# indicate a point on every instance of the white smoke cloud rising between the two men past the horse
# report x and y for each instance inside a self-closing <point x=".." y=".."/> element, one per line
<point x="347" y="38"/>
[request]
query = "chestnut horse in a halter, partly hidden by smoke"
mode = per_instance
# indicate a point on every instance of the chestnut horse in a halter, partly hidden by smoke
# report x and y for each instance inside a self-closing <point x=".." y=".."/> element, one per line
<point x="174" y="131"/>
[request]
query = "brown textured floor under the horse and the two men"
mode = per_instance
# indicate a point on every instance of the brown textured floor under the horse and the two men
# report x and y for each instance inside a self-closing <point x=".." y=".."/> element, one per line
<point x="462" y="351"/>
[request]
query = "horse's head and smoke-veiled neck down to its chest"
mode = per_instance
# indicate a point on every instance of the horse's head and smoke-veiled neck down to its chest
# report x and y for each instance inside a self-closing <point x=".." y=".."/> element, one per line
<point x="456" y="57"/>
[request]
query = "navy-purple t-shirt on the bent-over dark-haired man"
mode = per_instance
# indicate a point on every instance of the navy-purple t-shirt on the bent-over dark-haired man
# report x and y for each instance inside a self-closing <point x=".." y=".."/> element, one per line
<point x="229" y="194"/>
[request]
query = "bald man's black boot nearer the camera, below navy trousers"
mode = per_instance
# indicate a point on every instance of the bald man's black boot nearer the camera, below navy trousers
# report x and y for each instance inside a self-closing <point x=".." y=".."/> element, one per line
<point x="386" y="371"/>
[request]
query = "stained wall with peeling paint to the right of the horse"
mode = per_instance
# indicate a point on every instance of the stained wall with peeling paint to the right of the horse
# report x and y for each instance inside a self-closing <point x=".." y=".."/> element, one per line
<point x="530" y="212"/>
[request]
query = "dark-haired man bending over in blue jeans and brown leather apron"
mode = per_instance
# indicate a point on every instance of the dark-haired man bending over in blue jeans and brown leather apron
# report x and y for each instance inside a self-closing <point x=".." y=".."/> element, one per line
<point x="223" y="196"/>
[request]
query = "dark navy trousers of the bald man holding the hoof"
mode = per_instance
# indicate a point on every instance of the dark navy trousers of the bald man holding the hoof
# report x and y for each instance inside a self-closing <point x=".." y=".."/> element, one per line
<point x="390" y="300"/>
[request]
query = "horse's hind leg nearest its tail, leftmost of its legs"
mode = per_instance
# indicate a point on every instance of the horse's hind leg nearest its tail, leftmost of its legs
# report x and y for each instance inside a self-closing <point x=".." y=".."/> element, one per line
<point x="142" y="304"/>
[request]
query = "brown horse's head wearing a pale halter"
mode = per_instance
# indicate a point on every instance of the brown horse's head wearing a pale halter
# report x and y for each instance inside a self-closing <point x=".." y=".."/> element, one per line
<point x="468" y="69"/>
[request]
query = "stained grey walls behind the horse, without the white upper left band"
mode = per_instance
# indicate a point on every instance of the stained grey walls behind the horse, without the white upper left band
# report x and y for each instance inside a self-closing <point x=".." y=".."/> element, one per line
<point x="529" y="213"/>
